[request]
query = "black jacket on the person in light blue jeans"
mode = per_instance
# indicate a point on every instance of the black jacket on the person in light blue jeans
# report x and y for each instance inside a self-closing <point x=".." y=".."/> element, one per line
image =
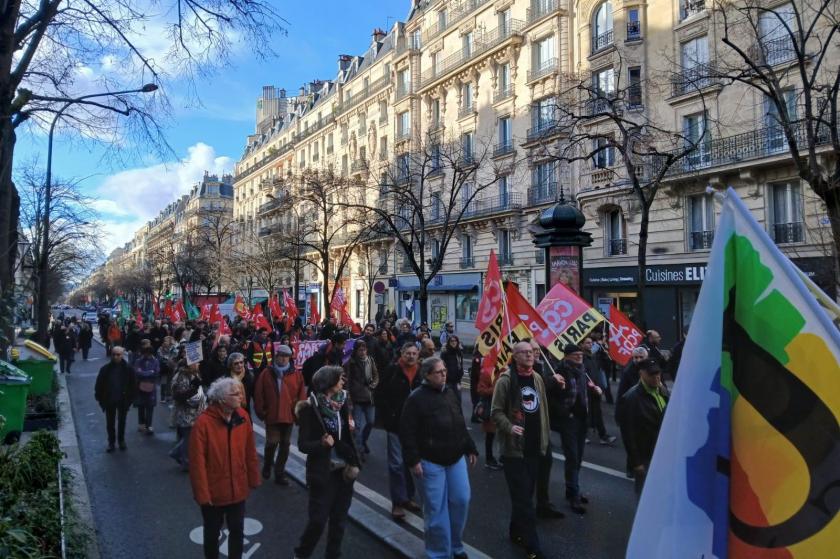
<point x="432" y="427"/>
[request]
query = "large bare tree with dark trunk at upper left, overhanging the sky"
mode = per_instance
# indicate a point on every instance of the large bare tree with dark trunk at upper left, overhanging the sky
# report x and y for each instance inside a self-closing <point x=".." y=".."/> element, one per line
<point x="43" y="43"/>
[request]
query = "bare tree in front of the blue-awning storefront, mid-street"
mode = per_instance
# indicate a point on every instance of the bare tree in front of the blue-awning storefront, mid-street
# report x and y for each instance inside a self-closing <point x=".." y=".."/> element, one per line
<point x="423" y="197"/>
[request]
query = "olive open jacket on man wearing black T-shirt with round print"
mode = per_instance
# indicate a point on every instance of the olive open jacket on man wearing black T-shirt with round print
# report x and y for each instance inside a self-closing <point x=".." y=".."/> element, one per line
<point x="505" y="407"/>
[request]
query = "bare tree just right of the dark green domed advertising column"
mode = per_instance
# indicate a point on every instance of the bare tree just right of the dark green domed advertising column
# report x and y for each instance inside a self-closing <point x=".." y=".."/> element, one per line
<point x="602" y="124"/>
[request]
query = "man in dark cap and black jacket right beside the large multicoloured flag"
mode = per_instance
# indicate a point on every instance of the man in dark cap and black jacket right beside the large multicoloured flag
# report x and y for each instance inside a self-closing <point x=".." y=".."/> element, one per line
<point x="640" y="413"/>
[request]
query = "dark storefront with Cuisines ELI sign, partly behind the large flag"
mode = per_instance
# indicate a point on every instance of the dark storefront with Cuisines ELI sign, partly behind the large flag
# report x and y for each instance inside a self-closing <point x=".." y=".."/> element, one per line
<point x="671" y="291"/>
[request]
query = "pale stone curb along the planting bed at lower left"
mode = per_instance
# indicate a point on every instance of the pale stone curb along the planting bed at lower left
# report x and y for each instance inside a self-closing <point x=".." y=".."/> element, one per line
<point x="69" y="443"/>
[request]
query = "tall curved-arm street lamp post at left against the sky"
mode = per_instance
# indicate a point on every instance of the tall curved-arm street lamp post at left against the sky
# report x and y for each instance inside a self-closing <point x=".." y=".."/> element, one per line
<point x="43" y="264"/>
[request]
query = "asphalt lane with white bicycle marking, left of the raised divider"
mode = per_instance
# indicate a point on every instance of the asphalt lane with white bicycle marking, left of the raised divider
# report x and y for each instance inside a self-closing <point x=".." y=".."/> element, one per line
<point x="143" y="505"/>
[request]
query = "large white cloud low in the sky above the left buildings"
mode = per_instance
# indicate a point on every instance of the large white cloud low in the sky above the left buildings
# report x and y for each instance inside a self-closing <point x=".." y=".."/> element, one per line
<point x="128" y="199"/>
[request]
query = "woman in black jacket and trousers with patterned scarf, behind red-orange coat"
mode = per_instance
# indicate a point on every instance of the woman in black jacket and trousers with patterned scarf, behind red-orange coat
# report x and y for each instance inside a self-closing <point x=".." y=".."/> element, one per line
<point x="332" y="462"/>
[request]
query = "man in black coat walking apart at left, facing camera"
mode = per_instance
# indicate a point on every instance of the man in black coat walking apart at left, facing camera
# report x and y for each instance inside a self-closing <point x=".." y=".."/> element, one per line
<point x="115" y="389"/>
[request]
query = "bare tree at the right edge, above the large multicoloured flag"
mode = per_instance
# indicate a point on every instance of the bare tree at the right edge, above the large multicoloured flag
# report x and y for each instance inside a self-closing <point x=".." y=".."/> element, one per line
<point x="788" y="54"/>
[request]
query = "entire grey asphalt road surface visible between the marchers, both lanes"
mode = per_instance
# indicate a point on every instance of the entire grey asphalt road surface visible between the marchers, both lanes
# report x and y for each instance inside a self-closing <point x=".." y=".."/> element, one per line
<point x="143" y="505"/>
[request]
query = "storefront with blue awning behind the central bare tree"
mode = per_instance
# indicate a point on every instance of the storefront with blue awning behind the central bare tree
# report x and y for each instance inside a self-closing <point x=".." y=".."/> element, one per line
<point x="451" y="297"/>
